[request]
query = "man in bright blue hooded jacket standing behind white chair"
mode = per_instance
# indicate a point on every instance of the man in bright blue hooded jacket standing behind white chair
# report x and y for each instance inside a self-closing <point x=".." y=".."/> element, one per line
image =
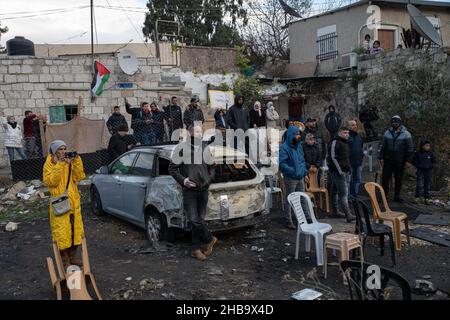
<point x="292" y="166"/>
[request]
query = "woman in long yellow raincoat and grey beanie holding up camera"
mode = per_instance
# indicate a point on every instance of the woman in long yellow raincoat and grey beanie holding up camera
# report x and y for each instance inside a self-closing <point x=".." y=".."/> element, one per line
<point x="67" y="230"/>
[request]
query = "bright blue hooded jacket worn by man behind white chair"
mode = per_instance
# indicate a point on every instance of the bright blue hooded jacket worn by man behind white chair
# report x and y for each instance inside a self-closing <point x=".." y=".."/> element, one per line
<point x="291" y="159"/>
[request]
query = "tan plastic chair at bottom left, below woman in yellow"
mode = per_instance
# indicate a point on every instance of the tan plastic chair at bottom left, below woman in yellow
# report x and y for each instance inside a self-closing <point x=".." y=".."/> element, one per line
<point x="75" y="279"/>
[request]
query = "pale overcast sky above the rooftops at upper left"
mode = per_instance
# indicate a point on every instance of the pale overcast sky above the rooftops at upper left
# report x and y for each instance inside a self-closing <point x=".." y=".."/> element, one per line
<point x="35" y="20"/>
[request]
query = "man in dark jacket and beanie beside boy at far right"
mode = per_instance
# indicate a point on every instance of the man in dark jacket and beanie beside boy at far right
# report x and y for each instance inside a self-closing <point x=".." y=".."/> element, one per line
<point x="397" y="151"/>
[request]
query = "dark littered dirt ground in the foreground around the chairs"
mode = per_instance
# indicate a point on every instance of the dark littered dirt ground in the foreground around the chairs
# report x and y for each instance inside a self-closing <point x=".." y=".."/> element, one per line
<point x="126" y="267"/>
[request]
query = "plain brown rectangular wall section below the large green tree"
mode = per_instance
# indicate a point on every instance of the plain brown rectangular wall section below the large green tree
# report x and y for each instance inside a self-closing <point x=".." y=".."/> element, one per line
<point x="209" y="60"/>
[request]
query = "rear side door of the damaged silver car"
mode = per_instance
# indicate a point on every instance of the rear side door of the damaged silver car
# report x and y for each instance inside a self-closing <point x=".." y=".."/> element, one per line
<point x="135" y="186"/>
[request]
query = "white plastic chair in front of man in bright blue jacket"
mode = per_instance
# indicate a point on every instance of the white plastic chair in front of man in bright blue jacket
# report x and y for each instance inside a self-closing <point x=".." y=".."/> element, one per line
<point x="315" y="229"/>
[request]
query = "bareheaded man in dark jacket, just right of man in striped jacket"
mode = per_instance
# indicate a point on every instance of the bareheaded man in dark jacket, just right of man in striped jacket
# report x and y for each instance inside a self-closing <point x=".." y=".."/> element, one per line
<point x="356" y="155"/>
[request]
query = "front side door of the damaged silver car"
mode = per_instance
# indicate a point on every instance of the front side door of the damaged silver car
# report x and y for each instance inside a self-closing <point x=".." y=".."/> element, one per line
<point x="111" y="187"/>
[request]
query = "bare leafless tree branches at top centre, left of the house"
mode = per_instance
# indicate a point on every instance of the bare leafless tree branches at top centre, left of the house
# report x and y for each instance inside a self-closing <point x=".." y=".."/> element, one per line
<point x="266" y="34"/>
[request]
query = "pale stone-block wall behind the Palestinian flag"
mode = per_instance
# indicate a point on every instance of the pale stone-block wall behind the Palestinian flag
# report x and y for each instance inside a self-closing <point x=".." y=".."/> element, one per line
<point x="30" y="83"/>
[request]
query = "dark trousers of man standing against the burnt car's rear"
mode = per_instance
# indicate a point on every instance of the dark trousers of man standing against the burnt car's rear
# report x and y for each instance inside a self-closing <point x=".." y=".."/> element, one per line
<point x="195" y="204"/>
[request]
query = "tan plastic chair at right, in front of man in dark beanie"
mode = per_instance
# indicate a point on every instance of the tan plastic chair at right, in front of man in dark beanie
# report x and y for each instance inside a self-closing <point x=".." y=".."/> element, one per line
<point x="395" y="217"/>
